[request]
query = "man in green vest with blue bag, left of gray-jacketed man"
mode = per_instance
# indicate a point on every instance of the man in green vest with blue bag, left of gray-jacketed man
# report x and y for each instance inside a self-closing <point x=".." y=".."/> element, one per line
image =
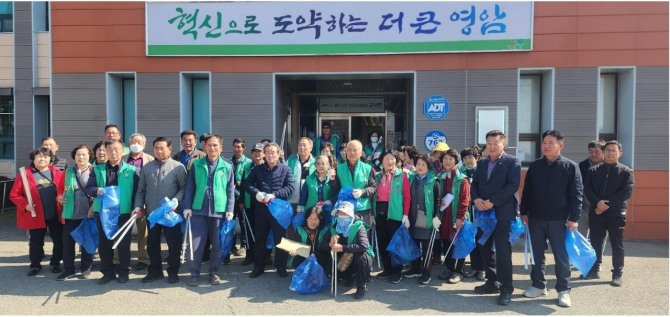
<point x="115" y="172"/>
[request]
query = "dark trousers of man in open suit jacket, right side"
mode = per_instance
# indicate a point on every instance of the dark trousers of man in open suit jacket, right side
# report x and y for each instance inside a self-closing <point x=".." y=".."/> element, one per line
<point x="498" y="266"/>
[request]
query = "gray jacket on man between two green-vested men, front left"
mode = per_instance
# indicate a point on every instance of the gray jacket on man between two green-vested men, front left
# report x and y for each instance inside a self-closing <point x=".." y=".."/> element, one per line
<point x="159" y="180"/>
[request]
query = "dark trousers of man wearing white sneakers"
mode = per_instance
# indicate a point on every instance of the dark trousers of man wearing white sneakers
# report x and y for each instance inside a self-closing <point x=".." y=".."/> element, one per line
<point x="554" y="231"/>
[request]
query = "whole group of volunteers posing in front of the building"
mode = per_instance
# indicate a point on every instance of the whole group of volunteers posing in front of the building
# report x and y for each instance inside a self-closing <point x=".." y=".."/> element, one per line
<point x="393" y="189"/>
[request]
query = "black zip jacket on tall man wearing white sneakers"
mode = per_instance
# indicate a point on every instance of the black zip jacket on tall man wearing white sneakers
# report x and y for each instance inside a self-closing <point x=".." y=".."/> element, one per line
<point x="552" y="191"/>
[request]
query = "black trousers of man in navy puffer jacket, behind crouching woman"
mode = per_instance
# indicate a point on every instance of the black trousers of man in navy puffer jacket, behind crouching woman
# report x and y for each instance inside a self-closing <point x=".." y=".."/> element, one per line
<point x="264" y="223"/>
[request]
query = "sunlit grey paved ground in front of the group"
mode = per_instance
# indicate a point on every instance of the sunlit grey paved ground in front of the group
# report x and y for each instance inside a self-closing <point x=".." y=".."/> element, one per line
<point x="645" y="291"/>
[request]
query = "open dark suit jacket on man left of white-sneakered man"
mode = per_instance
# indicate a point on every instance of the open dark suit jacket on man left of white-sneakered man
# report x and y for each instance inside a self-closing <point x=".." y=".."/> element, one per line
<point x="501" y="189"/>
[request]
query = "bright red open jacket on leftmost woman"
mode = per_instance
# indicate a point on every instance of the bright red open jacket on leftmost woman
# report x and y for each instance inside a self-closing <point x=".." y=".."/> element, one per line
<point x="24" y="219"/>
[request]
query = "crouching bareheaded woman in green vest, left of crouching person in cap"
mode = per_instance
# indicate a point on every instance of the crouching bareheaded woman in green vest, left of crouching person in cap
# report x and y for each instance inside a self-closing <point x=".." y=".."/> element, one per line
<point x="311" y="232"/>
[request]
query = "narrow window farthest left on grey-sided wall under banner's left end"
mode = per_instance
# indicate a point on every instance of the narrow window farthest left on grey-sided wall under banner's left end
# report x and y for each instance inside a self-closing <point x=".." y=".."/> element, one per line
<point x="121" y="102"/>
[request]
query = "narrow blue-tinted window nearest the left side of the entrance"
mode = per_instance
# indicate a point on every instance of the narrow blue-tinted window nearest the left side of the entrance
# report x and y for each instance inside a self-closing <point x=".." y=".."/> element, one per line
<point x="196" y="113"/>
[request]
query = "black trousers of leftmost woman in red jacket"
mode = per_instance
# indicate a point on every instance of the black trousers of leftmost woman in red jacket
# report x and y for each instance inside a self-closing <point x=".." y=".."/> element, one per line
<point x="36" y="244"/>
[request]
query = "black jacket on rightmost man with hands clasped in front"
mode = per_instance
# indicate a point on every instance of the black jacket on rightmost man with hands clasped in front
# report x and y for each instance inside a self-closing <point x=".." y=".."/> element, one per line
<point x="613" y="182"/>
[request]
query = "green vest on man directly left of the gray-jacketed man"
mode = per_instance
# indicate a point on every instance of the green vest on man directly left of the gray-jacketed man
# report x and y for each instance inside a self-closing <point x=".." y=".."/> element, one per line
<point x="125" y="180"/>
